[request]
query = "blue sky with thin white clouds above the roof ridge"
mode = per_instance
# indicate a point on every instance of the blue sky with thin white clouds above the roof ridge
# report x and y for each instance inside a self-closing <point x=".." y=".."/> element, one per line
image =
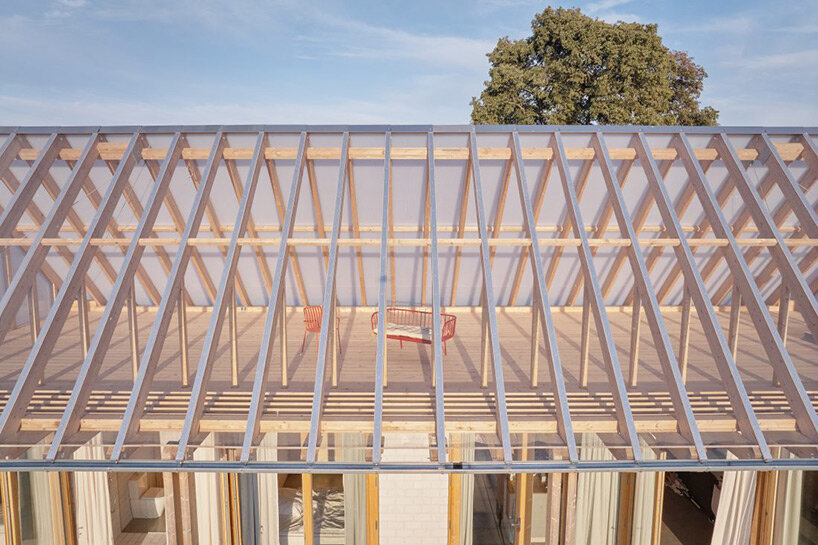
<point x="324" y="61"/>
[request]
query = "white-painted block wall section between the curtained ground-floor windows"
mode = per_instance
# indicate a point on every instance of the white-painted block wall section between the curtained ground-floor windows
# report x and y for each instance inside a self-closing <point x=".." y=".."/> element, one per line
<point x="413" y="508"/>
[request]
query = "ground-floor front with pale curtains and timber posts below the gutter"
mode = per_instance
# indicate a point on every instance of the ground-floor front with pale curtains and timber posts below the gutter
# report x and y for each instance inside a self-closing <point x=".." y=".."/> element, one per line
<point x="646" y="508"/>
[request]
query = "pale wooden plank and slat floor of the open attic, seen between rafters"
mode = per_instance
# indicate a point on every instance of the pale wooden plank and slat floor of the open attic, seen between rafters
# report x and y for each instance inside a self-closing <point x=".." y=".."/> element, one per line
<point x="409" y="397"/>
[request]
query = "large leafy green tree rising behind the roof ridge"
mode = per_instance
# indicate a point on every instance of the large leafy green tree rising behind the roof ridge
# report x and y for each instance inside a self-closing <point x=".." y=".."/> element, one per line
<point x="575" y="69"/>
